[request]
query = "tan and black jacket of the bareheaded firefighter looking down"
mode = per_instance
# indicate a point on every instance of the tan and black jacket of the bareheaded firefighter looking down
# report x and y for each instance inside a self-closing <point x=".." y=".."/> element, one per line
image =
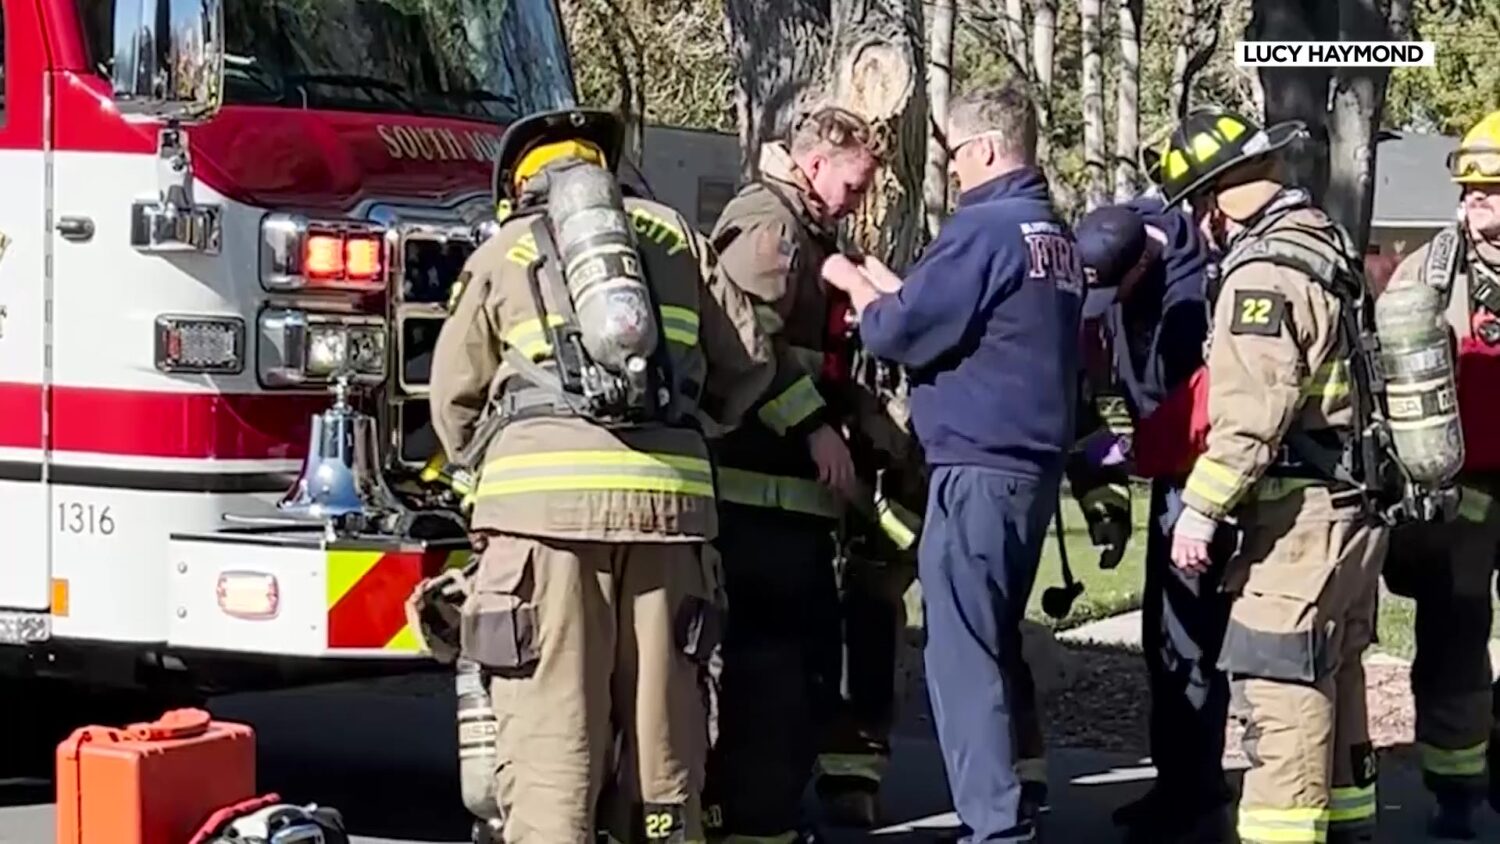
<point x="773" y="247"/>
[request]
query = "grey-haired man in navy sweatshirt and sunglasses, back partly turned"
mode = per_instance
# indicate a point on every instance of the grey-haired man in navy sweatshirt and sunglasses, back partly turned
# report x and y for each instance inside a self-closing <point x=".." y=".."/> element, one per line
<point x="988" y="326"/>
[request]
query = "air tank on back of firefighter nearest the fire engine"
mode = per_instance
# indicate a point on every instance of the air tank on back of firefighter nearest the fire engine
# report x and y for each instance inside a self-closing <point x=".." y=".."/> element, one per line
<point x="604" y="274"/>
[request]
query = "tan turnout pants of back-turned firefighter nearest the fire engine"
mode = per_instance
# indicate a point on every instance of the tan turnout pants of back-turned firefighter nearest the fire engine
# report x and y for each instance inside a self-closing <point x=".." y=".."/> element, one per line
<point x="589" y="644"/>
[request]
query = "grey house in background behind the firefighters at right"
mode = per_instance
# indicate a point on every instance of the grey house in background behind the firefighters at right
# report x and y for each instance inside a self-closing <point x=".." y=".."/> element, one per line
<point x="1414" y="193"/>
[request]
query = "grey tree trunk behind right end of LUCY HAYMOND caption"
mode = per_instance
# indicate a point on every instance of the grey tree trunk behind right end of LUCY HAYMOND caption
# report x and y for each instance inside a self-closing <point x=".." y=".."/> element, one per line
<point x="1360" y="97"/>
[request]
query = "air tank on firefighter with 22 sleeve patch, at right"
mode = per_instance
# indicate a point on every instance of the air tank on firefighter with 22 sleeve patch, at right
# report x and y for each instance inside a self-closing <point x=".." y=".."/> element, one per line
<point x="1421" y="394"/>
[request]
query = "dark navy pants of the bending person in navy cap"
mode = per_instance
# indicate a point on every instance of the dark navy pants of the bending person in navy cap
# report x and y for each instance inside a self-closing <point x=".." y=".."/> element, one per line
<point x="1183" y="630"/>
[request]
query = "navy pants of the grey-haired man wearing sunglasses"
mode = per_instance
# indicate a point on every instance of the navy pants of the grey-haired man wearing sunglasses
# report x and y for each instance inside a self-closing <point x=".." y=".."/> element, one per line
<point x="979" y="555"/>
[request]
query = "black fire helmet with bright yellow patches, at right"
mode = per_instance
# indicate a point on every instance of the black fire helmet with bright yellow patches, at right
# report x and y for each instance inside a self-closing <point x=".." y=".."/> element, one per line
<point x="1211" y="142"/>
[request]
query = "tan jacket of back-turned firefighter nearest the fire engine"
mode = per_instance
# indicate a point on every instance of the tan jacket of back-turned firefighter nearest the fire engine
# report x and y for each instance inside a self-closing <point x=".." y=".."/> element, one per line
<point x="566" y="477"/>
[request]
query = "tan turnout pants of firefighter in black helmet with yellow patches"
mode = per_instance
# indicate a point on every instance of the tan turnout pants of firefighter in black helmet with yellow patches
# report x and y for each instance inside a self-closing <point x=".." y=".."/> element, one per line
<point x="1306" y="585"/>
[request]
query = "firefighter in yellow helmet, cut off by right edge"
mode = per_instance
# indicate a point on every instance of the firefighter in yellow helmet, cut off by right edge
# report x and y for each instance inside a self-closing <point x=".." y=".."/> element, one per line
<point x="1448" y="569"/>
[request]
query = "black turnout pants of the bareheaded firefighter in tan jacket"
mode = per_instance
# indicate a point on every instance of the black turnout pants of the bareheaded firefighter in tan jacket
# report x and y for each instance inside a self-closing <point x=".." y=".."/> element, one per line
<point x="778" y="675"/>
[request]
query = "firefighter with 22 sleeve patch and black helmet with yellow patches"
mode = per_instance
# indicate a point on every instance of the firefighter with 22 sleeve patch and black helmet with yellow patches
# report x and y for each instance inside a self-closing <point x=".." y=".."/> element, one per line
<point x="1288" y="397"/>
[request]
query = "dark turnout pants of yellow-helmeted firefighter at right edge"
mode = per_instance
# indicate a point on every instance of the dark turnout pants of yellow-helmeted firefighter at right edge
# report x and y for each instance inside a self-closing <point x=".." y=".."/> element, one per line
<point x="1448" y="570"/>
